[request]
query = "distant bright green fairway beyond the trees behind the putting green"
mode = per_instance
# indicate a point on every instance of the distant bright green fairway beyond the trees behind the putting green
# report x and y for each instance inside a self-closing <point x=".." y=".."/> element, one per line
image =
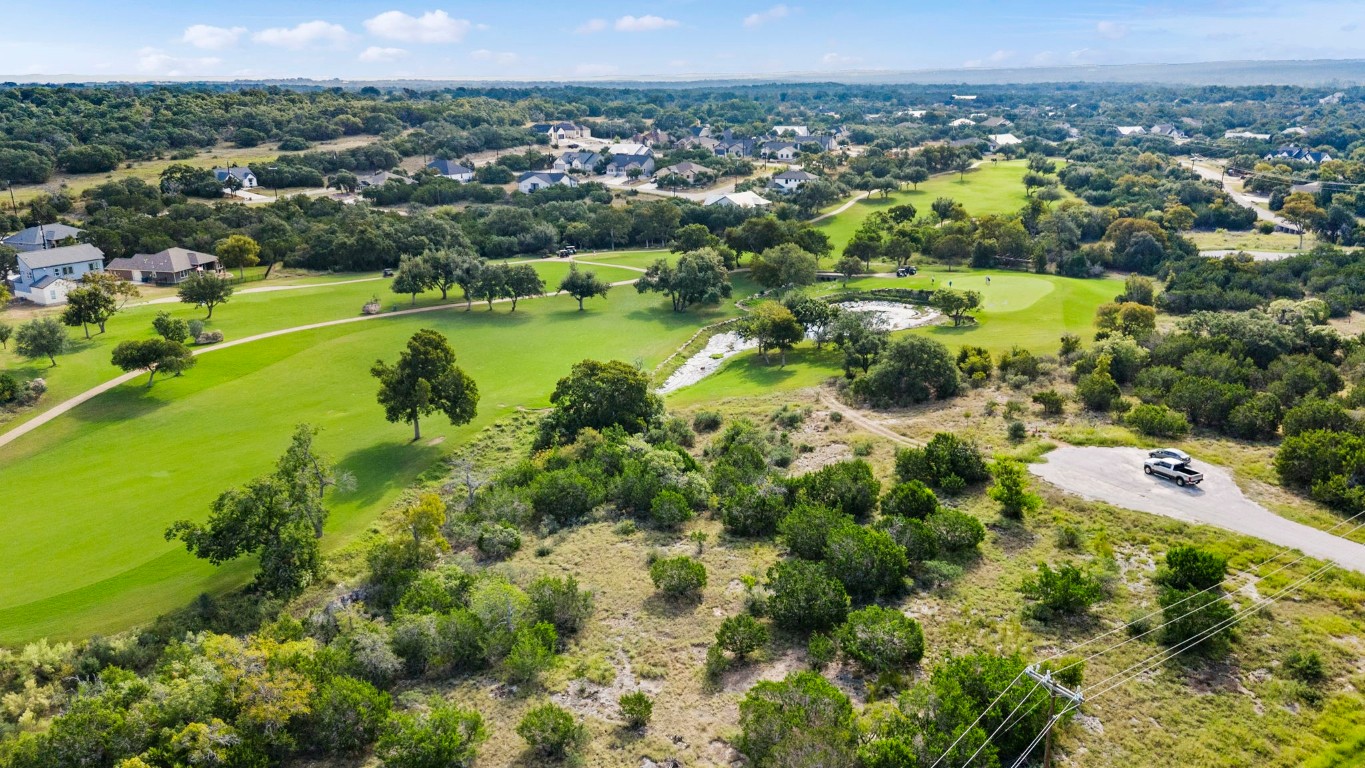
<point x="990" y="189"/>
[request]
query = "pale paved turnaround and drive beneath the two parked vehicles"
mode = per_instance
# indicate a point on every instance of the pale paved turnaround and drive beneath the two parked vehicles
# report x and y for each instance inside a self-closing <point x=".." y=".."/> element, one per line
<point x="1115" y="475"/>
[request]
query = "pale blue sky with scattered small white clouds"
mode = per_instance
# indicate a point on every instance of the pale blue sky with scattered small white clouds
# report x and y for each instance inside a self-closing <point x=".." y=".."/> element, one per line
<point x="667" y="39"/>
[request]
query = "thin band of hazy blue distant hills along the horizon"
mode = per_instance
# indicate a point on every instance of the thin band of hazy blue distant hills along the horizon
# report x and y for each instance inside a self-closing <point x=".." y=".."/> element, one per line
<point x="854" y="76"/>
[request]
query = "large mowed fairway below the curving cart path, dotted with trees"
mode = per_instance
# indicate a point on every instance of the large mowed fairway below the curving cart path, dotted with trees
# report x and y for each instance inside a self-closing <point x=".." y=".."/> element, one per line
<point x="84" y="548"/>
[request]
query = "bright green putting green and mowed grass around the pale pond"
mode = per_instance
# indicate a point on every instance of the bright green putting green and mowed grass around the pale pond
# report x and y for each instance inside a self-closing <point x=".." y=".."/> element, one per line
<point x="1027" y="310"/>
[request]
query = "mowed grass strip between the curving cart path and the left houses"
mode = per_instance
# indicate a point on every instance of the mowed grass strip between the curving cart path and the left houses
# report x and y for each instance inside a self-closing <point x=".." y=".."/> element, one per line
<point x="246" y="314"/>
